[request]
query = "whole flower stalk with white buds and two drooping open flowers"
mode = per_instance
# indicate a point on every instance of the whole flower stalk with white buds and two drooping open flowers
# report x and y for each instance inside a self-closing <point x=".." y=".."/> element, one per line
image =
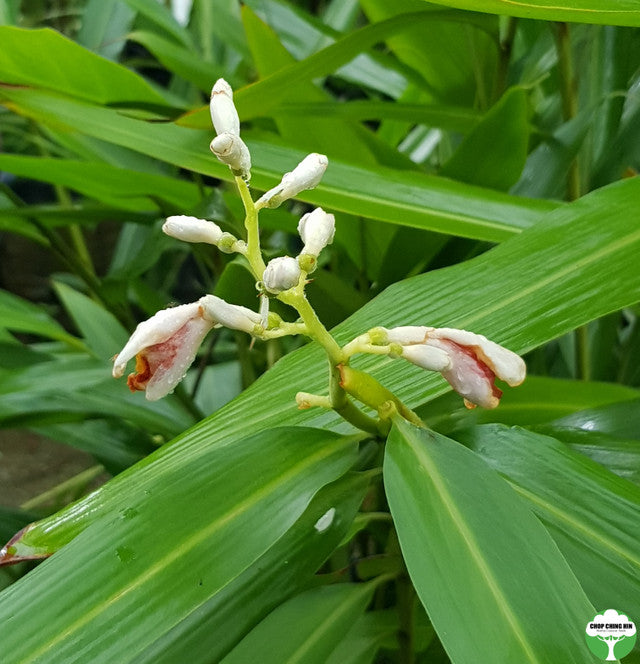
<point x="165" y="345"/>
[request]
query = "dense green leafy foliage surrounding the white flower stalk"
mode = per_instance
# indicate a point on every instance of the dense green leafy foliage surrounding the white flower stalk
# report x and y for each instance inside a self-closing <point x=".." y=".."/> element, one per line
<point x="481" y="170"/>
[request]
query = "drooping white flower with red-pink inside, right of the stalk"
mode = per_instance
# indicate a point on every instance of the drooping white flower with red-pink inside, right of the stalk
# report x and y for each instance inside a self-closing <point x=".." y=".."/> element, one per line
<point x="469" y="362"/>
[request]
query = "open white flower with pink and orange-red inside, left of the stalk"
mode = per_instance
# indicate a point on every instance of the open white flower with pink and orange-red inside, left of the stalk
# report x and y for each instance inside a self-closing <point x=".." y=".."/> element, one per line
<point x="164" y="346"/>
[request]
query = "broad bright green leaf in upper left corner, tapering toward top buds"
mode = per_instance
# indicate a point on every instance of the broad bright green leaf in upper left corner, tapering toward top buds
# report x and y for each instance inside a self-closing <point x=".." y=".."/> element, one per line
<point x="47" y="59"/>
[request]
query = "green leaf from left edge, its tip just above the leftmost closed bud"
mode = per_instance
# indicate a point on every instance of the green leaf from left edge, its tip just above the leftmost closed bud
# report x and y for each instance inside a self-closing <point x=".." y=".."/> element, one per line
<point x="112" y="185"/>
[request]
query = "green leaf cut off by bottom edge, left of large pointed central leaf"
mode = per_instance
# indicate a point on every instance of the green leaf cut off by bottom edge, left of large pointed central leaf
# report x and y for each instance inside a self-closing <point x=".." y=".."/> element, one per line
<point x="306" y="628"/>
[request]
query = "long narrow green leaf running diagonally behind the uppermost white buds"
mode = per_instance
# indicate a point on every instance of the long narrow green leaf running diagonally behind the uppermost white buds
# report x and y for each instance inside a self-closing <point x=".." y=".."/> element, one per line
<point x="401" y="197"/>
